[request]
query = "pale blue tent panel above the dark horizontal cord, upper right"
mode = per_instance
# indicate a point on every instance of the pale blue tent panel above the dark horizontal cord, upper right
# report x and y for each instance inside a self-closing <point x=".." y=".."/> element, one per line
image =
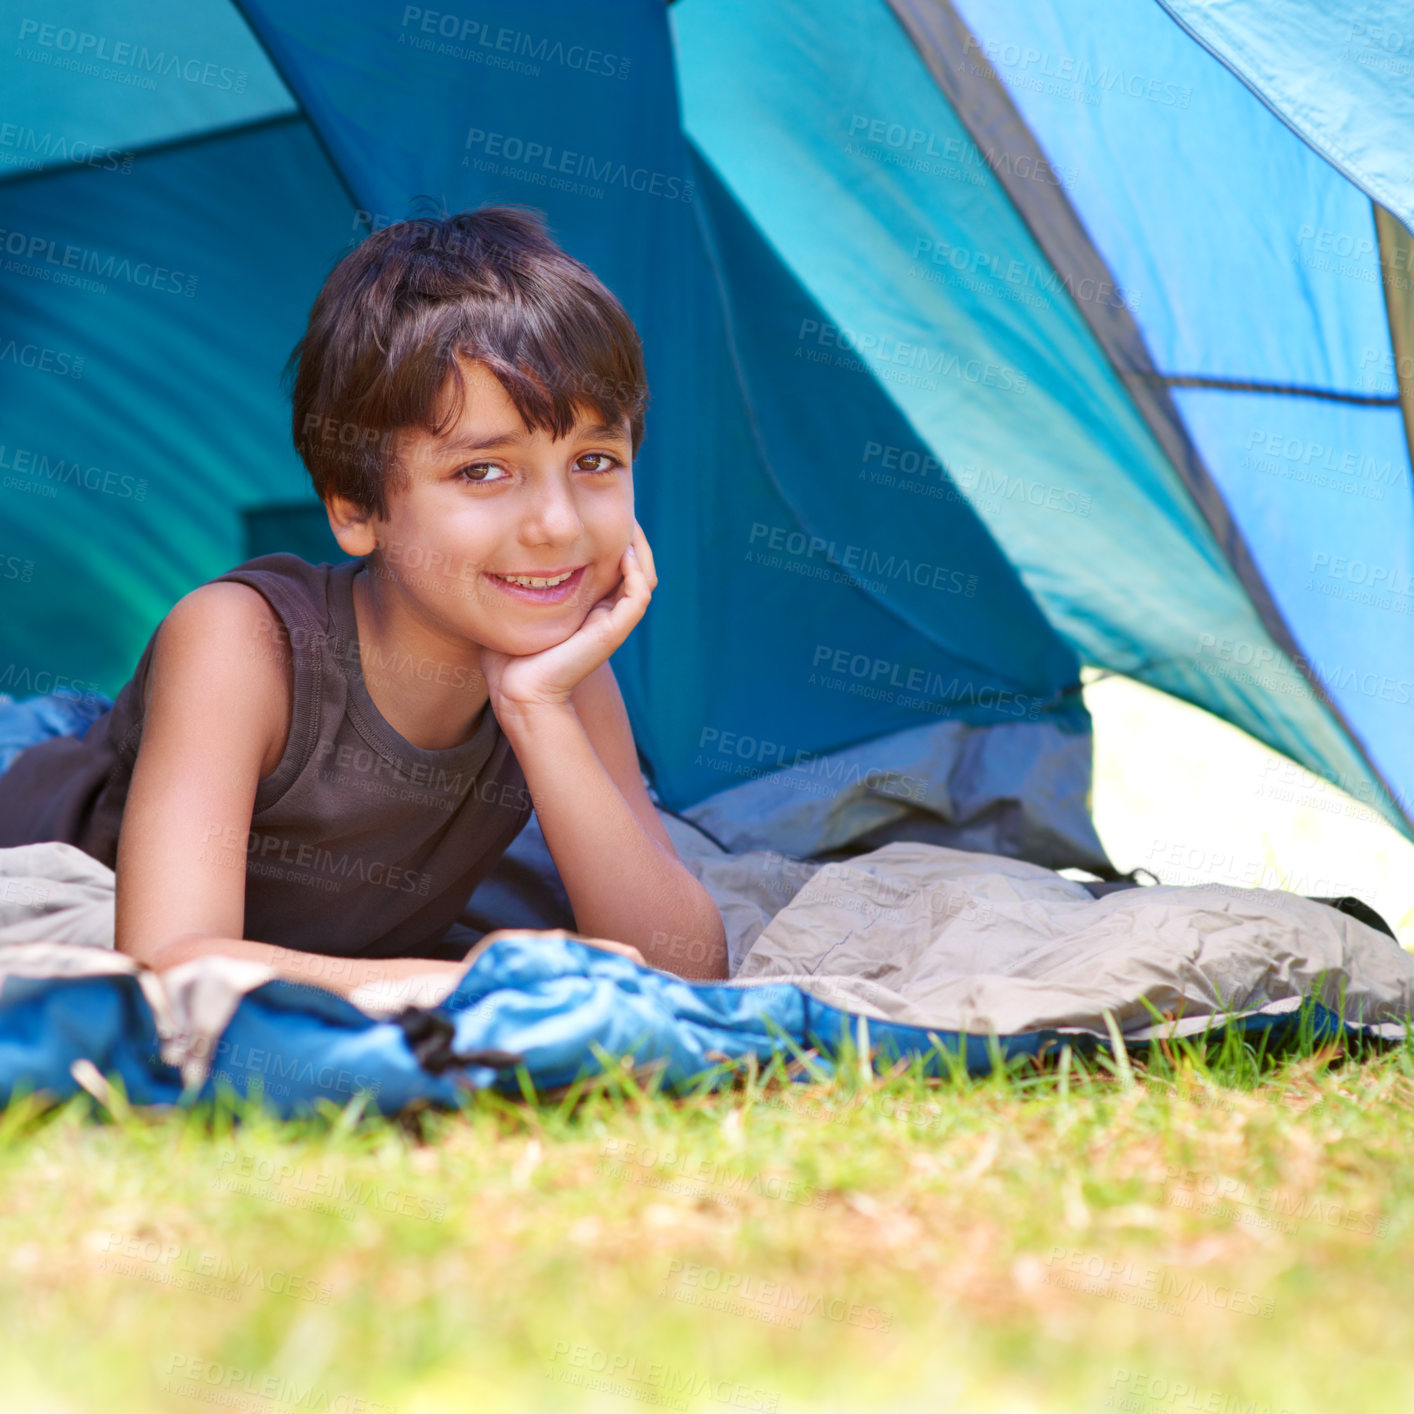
<point x="1241" y="252"/>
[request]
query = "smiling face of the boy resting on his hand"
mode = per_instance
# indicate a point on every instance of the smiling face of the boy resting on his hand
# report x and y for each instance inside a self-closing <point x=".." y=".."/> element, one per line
<point x="491" y="500"/>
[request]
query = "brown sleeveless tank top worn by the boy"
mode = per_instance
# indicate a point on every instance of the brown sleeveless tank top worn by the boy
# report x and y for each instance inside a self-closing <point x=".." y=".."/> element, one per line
<point x="361" y="845"/>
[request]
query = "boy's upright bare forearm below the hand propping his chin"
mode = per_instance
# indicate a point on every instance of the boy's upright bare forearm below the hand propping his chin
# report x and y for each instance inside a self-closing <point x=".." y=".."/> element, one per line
<point x="623" y="884"/>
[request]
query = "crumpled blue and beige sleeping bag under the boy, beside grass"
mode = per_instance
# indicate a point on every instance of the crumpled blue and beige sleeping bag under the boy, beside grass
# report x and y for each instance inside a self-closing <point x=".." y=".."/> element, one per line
<point x="908" y="951"/>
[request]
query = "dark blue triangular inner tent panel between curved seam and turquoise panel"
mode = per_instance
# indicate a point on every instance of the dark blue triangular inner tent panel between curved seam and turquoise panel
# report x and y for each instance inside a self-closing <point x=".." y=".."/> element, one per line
<point x="908" y="538"/>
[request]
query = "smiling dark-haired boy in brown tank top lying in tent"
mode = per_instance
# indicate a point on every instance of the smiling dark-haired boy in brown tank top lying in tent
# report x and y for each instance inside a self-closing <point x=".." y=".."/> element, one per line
<point x="322" y="763"/>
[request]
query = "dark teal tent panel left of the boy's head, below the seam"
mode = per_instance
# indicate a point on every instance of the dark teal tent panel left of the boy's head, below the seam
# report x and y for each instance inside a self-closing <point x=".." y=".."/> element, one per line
<point x="141" y="407"/>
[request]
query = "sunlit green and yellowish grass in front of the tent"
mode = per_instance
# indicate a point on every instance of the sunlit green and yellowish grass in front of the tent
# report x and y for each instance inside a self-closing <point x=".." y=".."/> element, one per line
<point x="1210" y="1229"/>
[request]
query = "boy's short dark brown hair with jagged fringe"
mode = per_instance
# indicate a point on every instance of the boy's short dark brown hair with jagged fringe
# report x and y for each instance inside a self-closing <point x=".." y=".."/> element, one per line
<point x="392" y="317"/>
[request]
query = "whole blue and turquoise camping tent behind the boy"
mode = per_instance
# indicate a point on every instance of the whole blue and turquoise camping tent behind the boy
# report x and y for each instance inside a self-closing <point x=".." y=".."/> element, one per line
<point x="986" y="339"/>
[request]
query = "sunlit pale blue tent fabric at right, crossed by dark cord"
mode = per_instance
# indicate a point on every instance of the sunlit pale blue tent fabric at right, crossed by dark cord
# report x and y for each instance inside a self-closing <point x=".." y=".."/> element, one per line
<point x="1292" y="404"/>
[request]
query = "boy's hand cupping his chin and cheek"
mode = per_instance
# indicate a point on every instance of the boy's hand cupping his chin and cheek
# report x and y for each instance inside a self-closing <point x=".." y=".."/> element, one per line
<point x="547" y="679"/>
